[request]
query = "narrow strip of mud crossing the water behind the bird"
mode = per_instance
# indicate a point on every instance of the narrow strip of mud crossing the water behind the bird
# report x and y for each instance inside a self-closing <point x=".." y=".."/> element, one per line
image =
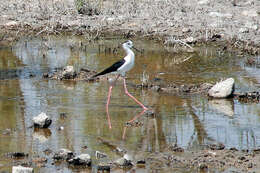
<point x="156" y="84"/>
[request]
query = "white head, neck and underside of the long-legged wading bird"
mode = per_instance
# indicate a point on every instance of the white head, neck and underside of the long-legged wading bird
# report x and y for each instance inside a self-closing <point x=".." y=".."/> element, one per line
<point x="129" y="59"/>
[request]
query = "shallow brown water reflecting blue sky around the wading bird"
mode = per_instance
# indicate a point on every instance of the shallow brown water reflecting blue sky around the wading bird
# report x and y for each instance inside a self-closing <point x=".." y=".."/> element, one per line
<point x="190" y="121"/>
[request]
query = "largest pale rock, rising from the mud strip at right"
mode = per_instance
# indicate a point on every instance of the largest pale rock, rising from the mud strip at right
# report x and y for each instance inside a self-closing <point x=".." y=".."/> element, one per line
<point x="222" y="89"/>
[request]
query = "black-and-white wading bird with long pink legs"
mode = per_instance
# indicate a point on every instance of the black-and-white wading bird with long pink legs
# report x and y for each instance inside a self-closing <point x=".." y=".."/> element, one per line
<point x="120" y="68"/>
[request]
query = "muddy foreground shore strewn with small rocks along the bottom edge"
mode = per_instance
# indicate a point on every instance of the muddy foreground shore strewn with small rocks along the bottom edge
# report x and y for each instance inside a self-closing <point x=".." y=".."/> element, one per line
<point x="210" y="157"/>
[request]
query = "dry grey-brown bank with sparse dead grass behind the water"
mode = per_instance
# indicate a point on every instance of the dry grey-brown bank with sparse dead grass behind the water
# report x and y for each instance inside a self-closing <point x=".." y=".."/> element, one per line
<point x="232" y="24"/>
